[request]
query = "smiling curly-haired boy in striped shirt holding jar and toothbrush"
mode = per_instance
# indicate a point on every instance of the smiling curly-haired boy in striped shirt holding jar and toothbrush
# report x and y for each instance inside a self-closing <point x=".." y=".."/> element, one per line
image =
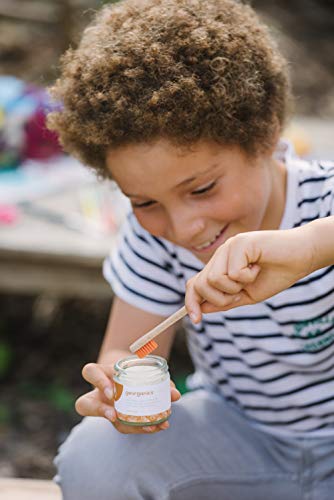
<point x="182" y="103"/>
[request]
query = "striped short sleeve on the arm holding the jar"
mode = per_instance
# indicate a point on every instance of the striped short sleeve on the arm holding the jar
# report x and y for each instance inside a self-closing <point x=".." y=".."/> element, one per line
<point x="140" y="271"/>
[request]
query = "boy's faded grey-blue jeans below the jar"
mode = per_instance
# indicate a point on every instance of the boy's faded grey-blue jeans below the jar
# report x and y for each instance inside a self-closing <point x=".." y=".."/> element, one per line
<point x="209" y="452"/>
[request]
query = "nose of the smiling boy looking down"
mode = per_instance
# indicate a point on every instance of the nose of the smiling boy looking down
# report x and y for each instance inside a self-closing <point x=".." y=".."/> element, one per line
<point x="184" y="226"/>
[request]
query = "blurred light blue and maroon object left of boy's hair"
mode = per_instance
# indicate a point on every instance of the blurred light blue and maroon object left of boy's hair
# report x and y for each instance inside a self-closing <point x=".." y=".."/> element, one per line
<point x="23" y="132"/>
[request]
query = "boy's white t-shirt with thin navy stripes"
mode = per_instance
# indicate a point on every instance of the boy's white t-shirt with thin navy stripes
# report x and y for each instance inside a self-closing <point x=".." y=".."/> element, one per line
<point x="274" y="361"/>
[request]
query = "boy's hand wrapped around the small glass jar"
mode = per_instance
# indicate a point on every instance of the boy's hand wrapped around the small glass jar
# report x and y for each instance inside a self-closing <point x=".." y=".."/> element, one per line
<point x="100" y="401"/>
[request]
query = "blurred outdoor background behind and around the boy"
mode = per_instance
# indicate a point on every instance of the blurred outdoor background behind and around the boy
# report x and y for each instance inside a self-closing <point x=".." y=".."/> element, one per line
<point x="57" y="223"/>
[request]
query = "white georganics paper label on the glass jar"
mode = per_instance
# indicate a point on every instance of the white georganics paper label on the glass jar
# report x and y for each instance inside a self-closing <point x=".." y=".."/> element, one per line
<point x="142" y="400"/>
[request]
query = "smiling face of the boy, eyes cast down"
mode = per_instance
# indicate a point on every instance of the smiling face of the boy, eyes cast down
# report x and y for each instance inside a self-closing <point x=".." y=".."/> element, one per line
<point x="201" y="197"/>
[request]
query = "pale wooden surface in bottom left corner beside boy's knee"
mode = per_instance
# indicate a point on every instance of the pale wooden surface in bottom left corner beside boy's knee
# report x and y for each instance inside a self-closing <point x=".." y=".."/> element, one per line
<point x="28" y="489"/>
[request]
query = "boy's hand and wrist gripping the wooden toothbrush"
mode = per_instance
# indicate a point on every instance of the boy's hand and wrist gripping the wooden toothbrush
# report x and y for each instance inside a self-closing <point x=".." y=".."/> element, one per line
<point x="249" y="268"/>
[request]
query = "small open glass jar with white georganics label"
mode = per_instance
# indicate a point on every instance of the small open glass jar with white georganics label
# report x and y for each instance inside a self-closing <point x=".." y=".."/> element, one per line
<point x="142" y="390"/>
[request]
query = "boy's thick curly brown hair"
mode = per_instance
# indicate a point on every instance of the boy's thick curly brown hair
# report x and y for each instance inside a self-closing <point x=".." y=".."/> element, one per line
<point x="183" y="70"/>
